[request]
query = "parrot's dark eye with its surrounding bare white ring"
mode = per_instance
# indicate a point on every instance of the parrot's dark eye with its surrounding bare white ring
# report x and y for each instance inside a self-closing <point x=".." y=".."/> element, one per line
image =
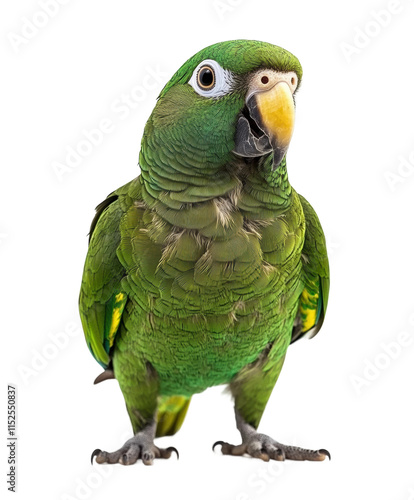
<point x="209" y="79"/>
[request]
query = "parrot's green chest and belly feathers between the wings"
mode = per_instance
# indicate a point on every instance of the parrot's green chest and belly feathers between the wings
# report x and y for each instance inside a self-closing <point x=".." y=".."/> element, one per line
<point x="220" y="293"/>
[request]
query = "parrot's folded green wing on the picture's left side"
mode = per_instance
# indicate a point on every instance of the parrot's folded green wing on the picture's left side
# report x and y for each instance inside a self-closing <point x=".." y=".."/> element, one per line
<point x="101" y="300"/>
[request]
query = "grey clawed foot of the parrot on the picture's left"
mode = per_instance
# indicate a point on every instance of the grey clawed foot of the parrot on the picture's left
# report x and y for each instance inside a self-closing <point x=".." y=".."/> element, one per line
<point x="140" y="446"/>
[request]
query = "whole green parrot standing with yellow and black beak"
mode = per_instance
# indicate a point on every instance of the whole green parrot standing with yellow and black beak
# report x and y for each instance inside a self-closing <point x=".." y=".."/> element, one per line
<point x="207" y="266"/>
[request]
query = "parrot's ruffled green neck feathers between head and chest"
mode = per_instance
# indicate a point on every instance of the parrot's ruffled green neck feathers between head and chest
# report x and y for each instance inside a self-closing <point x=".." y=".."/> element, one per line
<point x="182" y="182"/>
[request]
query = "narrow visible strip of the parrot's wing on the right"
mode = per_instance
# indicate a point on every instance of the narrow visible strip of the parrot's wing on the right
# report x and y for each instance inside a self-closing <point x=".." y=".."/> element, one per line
<point x="314" y="298"/>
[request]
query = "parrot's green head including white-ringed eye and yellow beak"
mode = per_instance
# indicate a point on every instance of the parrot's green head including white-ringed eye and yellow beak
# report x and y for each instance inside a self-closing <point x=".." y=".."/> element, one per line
<point x="231" y="100"/>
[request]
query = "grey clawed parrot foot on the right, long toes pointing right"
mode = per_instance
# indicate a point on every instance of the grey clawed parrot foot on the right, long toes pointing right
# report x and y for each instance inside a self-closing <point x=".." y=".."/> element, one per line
<point x="264" y="447"/>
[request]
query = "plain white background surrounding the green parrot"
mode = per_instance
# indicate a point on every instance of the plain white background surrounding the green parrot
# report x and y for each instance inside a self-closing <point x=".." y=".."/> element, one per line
<point x="354" y="129"/>
